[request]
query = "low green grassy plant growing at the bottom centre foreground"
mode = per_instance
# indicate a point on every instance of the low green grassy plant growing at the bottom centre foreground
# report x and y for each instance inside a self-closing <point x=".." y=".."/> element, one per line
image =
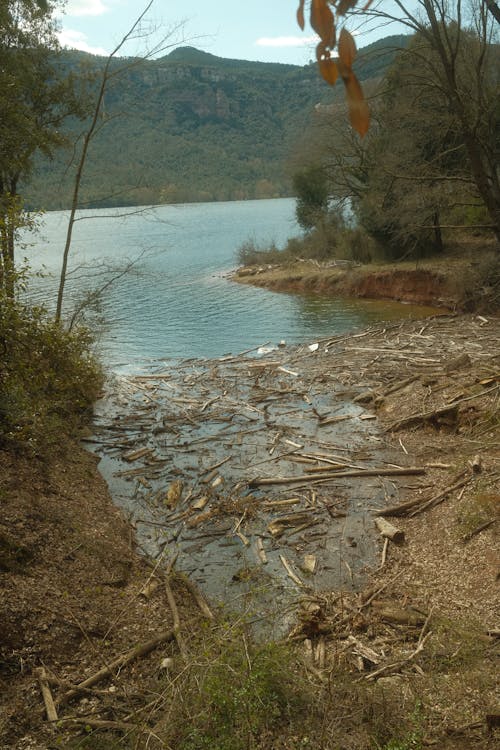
<point x="243" y="692"/>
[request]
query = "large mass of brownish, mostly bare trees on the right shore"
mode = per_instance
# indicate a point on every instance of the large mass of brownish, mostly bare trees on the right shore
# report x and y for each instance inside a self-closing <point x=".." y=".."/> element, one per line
<point x="435" y="133"/>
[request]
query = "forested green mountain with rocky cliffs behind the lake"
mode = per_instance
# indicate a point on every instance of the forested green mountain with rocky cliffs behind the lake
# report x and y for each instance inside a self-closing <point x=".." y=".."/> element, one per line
<point x="192" y="126"/>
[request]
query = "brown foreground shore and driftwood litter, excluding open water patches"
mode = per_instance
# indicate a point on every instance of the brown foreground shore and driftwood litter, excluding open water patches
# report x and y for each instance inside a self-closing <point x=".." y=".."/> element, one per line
<point x="412" y="658"/>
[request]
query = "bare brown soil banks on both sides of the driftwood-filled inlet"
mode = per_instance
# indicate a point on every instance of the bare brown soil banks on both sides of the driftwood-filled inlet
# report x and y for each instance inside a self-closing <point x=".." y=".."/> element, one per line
<point x="71" y="576"/>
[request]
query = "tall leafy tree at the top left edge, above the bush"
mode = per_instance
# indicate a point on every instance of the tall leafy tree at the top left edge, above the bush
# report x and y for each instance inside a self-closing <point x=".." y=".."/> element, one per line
<point x="35" y="98"/>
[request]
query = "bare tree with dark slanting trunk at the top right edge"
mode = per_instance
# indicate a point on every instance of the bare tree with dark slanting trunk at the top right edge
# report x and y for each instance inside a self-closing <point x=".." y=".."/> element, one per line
<point x="462" y="70"/>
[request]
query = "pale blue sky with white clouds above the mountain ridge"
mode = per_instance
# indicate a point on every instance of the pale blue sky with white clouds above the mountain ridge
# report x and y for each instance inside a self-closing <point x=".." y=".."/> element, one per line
<point x="263" y="30"/>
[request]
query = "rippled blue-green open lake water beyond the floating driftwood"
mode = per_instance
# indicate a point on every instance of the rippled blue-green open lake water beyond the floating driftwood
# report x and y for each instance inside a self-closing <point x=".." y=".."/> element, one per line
<point x="177" y="302"/>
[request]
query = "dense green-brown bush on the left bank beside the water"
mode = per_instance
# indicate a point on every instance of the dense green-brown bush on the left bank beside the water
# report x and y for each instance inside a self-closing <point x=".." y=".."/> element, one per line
<point x="49" y="377"/>
